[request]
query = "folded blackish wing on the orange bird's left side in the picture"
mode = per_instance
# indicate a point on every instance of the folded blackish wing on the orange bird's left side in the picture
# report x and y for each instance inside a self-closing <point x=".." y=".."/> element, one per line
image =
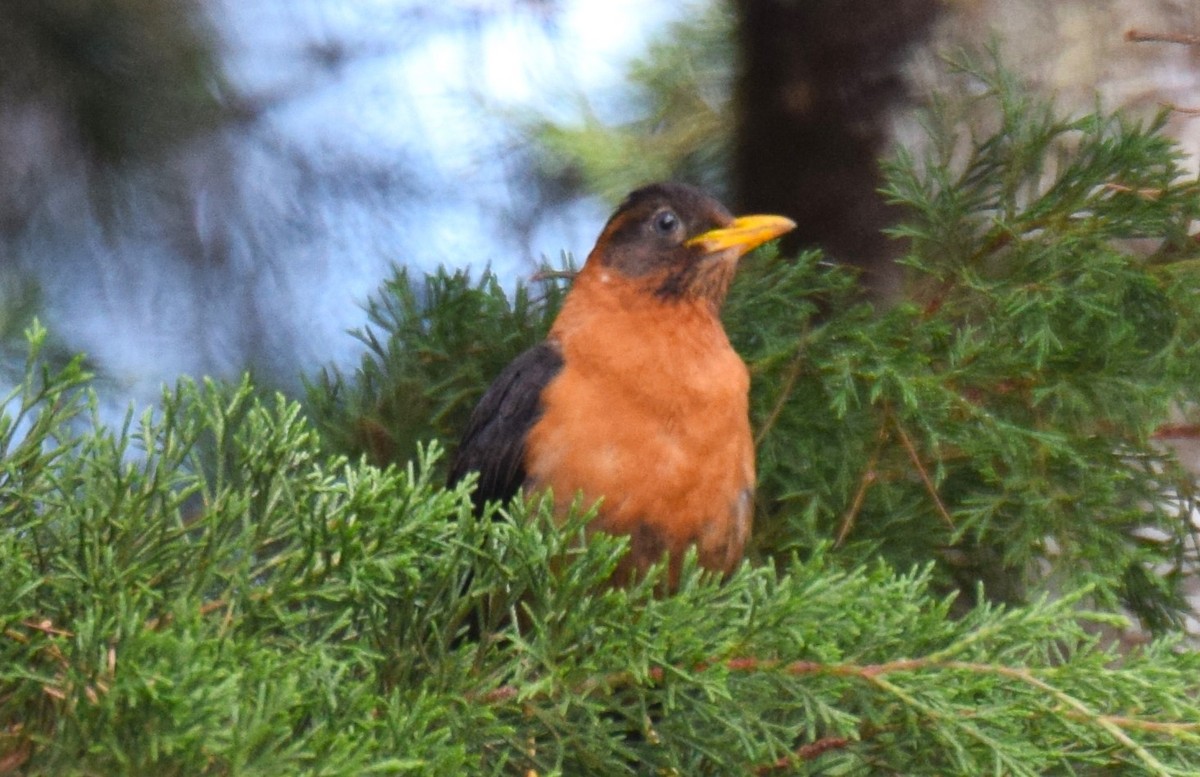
<point x="495" y="442"/>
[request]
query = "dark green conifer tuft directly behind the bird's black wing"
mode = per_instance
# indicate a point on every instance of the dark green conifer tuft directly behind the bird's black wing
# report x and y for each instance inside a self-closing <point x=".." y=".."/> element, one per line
<point x="433" y="348"/>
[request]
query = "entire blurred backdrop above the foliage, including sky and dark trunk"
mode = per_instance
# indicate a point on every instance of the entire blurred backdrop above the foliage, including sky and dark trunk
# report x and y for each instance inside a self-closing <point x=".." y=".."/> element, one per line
<point x="208" y="188"/>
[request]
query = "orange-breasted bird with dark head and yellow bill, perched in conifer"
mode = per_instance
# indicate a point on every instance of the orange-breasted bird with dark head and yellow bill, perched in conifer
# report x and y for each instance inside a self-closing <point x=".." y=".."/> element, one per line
<point x="637" y="402"/>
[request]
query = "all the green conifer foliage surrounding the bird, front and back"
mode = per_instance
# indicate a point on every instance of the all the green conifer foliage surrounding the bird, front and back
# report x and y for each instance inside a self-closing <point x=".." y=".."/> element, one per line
<point x="226" y="587"/>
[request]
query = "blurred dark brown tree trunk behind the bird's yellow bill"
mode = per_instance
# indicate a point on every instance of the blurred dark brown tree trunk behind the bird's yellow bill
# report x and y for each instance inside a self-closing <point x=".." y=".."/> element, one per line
<point x="817" y="86"/>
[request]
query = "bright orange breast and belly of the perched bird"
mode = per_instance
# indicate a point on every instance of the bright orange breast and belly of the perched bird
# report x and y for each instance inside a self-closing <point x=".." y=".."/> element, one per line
<point x="650" y="414"/>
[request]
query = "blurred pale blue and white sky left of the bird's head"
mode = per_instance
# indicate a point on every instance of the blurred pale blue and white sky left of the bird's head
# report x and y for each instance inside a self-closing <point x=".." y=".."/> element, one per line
<point x="379" y="146"/>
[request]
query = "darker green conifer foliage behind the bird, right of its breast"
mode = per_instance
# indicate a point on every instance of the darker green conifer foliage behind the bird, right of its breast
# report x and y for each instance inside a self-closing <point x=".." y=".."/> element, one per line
<point x="1003" y="419"/>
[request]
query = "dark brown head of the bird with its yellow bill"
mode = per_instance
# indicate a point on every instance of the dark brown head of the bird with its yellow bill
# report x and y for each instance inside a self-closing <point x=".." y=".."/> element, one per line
<point x="681" y="244"/>
